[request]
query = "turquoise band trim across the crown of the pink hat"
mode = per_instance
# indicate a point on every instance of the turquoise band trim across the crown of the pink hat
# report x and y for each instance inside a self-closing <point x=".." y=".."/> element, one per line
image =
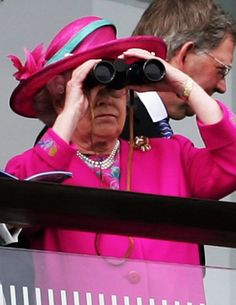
<point x="78" y="38"/>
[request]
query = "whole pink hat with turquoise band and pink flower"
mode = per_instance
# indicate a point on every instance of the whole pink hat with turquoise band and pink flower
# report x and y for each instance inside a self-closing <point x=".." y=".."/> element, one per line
<point x="83" y="39"/>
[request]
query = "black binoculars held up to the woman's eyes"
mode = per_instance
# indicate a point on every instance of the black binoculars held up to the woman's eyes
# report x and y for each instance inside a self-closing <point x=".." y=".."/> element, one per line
<point x="117" y="74"/>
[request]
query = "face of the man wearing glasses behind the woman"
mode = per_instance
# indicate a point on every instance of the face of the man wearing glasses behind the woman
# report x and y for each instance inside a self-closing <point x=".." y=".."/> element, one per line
<point x="207" y="69"/>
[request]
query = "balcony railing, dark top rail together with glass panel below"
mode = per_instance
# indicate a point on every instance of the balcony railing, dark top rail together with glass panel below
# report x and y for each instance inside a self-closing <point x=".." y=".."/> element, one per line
<point x="50" y="278"/>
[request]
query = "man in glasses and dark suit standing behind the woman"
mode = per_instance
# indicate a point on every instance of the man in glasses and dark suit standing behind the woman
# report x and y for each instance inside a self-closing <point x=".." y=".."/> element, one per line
<point x="200" y="38"/>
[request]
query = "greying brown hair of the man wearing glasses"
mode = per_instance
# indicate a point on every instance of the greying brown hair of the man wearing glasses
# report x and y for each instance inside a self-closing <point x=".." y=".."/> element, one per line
<point x="203" y="22"/>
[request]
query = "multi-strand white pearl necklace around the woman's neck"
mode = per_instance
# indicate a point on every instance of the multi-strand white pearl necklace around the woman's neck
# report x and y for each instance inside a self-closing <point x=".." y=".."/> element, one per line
<point x="100" y="164"/>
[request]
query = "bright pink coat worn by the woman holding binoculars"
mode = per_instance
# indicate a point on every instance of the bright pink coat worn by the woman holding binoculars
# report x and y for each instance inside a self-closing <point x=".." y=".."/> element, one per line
<point x="172" y="167"/>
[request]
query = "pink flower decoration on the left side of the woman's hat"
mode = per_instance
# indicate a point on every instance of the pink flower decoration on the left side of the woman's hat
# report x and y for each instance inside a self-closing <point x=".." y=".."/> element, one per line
<point x="34" y="62"/>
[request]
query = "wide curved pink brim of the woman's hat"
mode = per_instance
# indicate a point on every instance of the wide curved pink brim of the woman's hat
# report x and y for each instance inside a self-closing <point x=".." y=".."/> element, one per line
<point x="21" y="100"/>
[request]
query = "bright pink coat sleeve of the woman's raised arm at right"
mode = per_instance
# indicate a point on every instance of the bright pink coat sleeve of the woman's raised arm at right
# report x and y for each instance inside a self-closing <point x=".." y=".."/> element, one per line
<point x="212" y="170"/>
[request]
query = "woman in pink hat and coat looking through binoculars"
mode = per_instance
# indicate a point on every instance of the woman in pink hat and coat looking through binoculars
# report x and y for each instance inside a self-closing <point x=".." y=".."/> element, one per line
<point x="84" y="136"/>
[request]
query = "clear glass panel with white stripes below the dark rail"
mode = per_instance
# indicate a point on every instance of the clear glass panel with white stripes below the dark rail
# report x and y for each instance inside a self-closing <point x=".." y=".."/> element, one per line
<point x="49" y="278"/>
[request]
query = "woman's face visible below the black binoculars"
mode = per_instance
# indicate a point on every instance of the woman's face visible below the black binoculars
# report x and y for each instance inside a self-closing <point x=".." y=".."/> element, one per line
<point x="105" y="117"/>
